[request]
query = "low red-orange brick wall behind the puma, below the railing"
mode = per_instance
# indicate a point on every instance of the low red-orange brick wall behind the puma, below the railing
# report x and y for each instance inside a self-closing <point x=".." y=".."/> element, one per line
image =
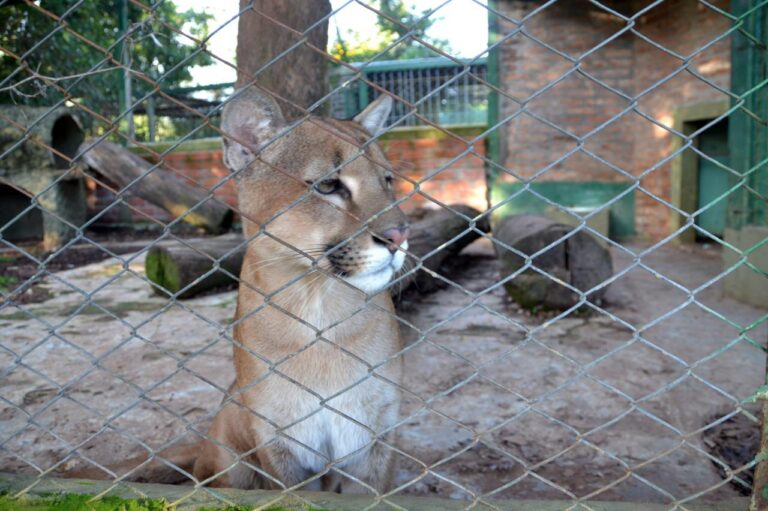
<point x="417" y="154"/>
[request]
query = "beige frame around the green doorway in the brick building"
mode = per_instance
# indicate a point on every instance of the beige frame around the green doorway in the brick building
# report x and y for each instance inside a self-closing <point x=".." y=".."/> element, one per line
<point x="684" y="193"/>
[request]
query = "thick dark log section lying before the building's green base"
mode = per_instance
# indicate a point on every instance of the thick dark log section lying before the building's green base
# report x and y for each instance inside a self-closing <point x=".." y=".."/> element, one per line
<point x="580" y="261"/>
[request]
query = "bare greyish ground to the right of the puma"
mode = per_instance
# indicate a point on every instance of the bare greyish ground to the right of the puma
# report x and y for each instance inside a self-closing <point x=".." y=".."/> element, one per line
<point x="579" y="406"/>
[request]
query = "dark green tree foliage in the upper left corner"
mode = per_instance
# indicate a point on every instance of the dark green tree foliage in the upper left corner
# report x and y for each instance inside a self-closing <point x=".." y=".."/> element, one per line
<point x="34" y="42"/>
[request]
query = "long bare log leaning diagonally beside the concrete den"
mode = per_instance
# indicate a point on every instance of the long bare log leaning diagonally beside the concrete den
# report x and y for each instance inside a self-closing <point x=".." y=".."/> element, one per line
<point x="160" y="186"/>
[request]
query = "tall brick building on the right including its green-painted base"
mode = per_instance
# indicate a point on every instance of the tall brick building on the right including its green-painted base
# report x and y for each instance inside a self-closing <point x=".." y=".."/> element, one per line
<point x="590" y="100"/>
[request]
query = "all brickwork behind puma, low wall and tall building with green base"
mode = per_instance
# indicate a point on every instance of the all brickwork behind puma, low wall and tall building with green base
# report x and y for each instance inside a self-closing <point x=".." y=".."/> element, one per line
<point x="592" y="106"/>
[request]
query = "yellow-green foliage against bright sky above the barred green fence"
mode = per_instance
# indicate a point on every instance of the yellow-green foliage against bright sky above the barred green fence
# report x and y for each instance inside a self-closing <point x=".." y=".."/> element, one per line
<point x="396" y="21"/>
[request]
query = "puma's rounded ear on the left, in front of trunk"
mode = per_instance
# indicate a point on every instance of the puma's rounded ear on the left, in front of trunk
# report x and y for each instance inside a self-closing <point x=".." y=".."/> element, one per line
<point x="250" y="119"/>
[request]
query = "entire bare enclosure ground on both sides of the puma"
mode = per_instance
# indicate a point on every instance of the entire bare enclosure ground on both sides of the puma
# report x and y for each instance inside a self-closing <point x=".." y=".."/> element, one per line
<point x="501" y="403"/>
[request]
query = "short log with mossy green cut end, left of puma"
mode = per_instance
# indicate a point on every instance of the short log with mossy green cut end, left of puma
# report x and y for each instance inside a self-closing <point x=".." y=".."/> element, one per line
<point x="192" y="266"/>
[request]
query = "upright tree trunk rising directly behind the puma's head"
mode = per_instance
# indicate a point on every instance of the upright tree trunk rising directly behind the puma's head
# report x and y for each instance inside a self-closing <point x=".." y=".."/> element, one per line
<point x="299" y="76"/>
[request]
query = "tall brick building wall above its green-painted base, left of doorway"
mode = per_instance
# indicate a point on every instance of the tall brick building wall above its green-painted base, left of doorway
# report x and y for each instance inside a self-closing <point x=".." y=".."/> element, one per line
<point x="543" y="89"/>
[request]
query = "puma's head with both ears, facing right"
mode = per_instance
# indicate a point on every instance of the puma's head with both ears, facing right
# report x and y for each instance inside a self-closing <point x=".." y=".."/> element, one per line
<point x="318" y="187"/>
